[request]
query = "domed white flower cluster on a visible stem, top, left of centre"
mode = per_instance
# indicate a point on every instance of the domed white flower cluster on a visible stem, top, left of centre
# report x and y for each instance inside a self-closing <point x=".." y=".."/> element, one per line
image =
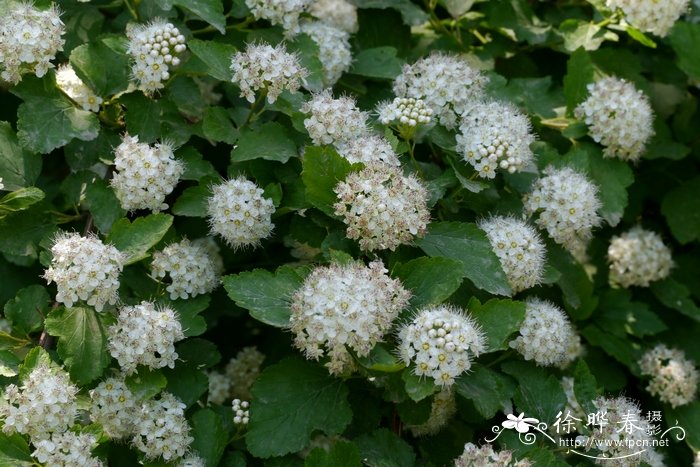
<point x="263" y="67"/>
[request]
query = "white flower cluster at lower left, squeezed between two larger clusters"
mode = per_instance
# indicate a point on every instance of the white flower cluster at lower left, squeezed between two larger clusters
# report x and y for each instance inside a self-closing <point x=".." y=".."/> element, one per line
<point x="113" y="407"/>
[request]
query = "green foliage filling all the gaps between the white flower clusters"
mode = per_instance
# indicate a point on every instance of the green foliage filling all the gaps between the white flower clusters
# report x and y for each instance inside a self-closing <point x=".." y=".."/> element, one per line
<point x="540" y="55"/>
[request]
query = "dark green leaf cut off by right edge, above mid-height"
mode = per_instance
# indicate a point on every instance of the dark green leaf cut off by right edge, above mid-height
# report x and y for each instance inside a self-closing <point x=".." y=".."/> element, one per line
<point x="681" y="208"/>
